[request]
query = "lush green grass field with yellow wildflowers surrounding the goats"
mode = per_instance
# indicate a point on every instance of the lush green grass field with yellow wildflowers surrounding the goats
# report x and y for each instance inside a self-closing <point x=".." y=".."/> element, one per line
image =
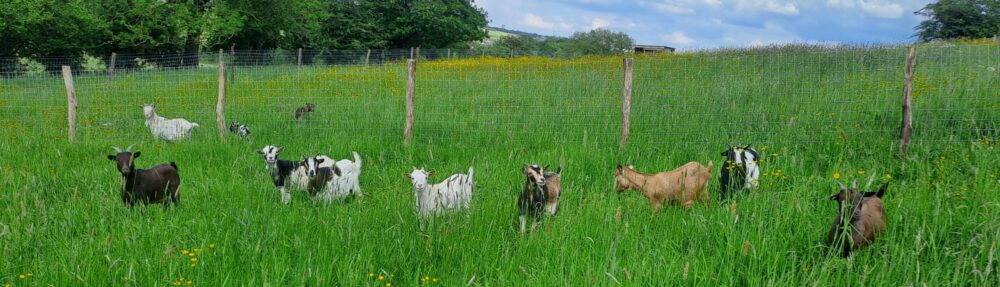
<point x="814" y="111"/>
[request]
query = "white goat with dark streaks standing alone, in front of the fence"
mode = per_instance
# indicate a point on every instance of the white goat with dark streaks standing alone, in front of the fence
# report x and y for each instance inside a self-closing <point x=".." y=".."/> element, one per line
<point x="454" y="193"/>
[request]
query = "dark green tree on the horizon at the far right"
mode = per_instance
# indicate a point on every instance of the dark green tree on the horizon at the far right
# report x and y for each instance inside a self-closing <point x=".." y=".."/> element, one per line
<point x="951" y="19"/>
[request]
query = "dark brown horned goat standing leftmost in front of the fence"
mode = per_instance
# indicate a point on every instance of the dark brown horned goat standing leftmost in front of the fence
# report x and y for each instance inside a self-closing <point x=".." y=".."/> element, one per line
<point x="158" y="184"/>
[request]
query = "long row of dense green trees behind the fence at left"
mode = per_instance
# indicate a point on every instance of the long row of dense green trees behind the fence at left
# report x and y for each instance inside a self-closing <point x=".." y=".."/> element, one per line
<point x="69" y="28"/>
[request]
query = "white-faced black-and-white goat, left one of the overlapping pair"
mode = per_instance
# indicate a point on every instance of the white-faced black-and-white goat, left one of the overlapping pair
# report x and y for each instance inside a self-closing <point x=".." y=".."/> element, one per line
<point x="287" y="175"/>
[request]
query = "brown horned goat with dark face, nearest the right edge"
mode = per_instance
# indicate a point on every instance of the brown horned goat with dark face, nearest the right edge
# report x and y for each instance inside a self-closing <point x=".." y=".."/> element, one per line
<point x="860" y="217"/>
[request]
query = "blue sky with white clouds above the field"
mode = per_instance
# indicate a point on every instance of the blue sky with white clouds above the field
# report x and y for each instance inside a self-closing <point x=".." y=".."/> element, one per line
<point x="698" y="24"/>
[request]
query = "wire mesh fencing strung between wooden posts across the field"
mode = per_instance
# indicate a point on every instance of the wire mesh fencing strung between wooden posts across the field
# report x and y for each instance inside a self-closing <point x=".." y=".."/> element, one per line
<point x="791" y="95"/>
